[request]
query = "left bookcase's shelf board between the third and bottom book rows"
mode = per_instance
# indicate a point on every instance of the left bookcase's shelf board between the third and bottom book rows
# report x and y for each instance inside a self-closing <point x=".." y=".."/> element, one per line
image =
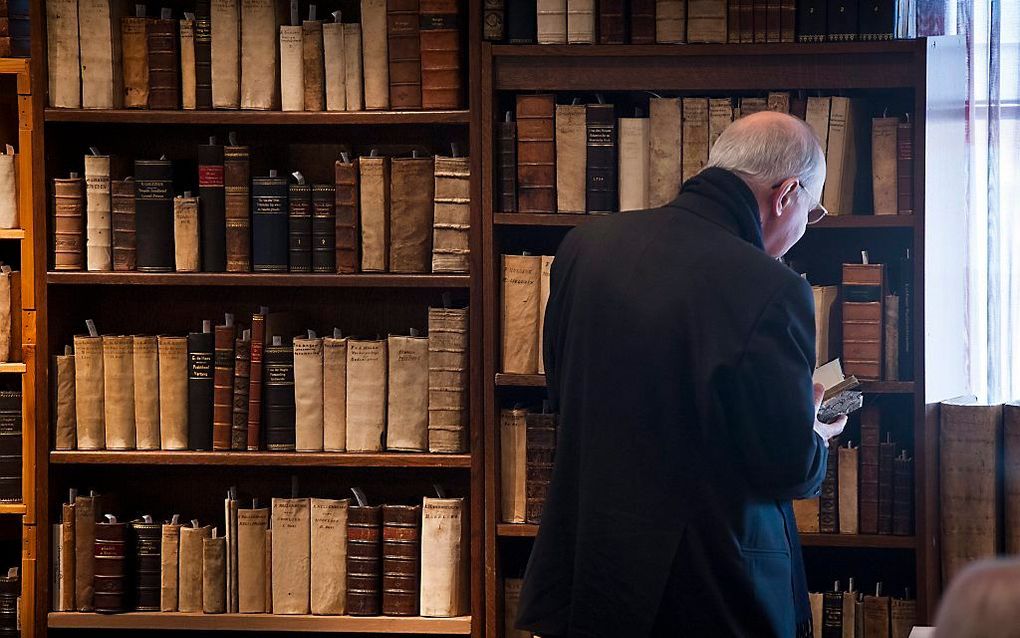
<point x="266" y="460"/>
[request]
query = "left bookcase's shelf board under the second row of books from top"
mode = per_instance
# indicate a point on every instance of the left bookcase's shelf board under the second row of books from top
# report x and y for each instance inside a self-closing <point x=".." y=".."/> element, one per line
<point x="260" y="279"/>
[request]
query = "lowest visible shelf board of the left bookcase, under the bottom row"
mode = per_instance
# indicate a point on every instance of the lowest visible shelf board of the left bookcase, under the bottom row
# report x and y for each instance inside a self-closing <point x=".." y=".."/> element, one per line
<point x="261" y="622"/>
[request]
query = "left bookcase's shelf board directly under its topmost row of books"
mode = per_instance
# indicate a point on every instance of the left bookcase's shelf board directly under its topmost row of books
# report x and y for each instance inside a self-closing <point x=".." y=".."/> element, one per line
<point x="121" y="117"/>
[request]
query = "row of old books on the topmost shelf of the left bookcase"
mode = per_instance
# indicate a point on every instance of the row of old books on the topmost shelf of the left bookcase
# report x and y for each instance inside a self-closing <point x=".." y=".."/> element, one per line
<point x="242" y="55"/>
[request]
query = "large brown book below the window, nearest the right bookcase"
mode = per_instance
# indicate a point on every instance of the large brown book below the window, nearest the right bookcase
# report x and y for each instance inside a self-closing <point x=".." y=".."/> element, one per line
<point x="971" y="459"/>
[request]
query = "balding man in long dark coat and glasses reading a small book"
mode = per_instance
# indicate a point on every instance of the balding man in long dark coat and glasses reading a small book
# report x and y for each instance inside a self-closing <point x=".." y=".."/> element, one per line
<point x="679" y="354"/>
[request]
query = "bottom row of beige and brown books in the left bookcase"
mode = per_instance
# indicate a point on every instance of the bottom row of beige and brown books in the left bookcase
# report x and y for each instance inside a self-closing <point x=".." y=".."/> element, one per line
<point x="302" y="556"/>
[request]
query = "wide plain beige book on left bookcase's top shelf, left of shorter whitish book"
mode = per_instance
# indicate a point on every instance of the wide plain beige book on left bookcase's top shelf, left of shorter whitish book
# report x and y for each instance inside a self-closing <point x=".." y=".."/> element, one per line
<point x="259" y="55"/>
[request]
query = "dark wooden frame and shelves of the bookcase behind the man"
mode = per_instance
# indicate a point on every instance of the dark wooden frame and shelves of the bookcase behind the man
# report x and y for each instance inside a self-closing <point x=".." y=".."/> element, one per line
<point x="919" y="77"/>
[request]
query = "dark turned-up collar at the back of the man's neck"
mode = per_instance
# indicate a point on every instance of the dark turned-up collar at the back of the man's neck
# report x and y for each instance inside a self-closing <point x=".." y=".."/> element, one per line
<point x="723" y="199"/>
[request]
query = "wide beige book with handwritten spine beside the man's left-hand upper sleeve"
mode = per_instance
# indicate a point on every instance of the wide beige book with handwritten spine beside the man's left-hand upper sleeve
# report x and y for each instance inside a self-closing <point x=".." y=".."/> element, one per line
<point x="522" y="292"/>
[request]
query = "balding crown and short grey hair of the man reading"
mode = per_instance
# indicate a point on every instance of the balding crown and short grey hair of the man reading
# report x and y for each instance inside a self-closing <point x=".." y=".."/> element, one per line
<point x="767" y="149"/>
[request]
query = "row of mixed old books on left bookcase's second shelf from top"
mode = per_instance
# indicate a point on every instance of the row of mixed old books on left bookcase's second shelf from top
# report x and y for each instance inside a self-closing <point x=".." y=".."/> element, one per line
<point x="379" y="215"/>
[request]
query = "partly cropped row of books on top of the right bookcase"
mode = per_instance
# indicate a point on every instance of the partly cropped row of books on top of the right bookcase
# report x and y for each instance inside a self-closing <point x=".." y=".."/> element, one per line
<point x="678" y="22"/>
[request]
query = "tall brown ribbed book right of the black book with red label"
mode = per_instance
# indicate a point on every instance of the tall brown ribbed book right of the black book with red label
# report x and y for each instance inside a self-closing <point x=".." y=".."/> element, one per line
<point x="237" y="190"/>
